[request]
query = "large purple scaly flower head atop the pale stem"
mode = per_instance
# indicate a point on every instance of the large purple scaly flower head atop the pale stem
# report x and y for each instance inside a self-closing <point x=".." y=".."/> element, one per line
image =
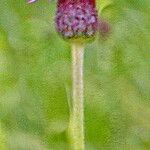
<point x="76" y="19"/>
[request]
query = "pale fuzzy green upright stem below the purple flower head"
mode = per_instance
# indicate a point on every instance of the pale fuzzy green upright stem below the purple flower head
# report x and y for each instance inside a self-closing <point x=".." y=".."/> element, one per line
<point x="76" y="126"/>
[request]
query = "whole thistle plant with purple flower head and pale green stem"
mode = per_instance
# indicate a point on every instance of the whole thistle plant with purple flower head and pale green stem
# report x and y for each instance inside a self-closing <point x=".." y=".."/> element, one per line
<point x="77" y="22"/>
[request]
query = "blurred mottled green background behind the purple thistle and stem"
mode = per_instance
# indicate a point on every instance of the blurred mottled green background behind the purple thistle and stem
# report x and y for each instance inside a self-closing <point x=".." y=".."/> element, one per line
<point x="35" y="78"/>
